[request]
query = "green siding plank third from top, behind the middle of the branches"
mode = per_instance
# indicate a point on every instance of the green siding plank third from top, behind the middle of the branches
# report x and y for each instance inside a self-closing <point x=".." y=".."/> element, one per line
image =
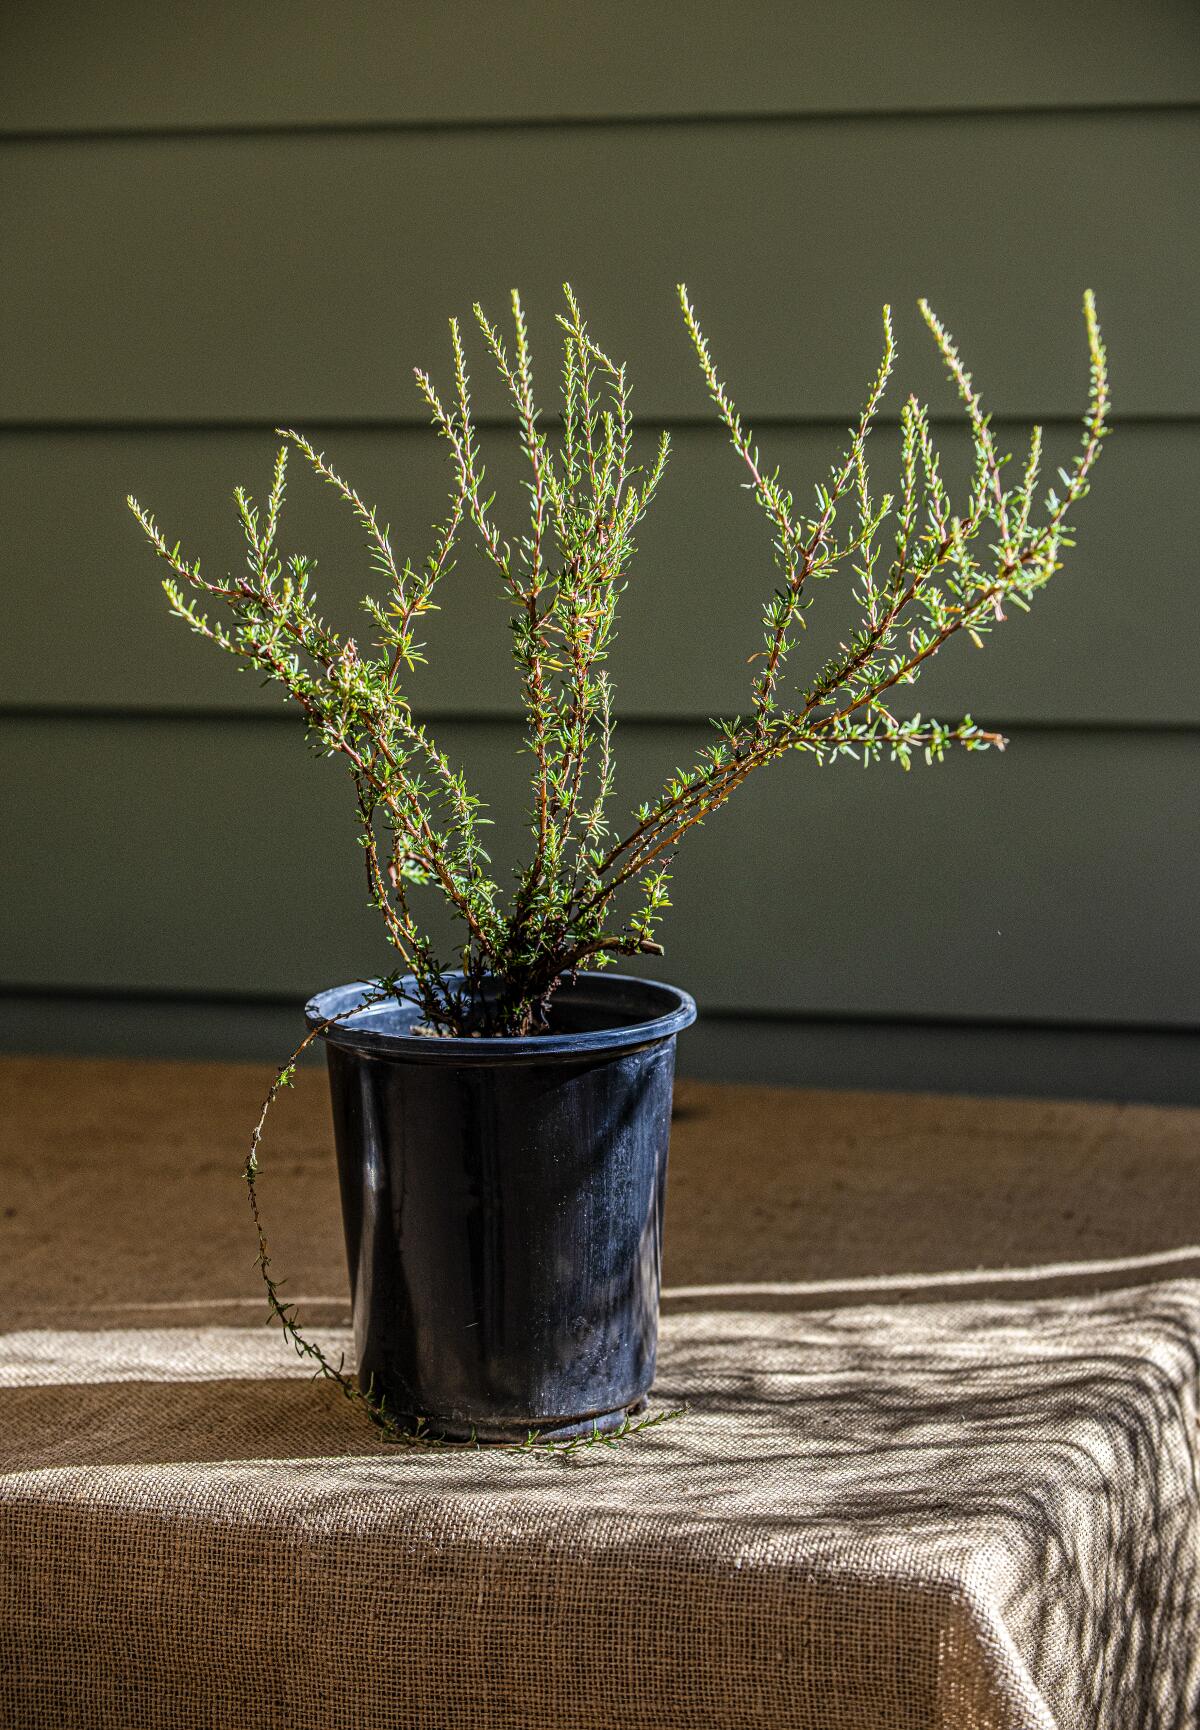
<point x="87" y="622"/>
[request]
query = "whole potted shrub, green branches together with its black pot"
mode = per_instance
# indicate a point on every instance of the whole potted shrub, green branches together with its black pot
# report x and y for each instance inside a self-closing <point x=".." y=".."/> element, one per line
<point x="502" y="1125"/>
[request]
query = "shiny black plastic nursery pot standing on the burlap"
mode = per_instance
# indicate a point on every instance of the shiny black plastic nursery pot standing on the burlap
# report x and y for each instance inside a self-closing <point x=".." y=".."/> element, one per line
<point x="502" y="1201"/>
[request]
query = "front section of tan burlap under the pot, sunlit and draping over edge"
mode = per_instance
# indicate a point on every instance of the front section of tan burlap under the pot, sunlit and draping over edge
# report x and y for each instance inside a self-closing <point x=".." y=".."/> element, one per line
<point x="929" y="1518"/>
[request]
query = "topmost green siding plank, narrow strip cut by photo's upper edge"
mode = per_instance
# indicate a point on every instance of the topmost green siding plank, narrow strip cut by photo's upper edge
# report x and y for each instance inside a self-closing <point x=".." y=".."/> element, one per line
<point x="374" y="61"/>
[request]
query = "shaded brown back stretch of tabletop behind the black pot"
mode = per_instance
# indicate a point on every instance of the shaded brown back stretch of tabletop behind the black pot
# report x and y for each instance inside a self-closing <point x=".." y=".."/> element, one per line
<point x="767" y="1186"/>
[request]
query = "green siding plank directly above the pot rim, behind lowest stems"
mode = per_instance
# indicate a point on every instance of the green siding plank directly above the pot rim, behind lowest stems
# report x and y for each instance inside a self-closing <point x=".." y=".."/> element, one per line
<point x="1044" y="883"/>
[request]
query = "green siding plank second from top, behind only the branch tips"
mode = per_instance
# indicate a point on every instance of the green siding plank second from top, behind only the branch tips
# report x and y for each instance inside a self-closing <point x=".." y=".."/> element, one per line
<point x="302" y="278"/>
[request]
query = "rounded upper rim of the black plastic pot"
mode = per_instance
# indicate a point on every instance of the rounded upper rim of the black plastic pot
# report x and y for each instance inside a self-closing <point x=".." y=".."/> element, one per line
<point x="648" y="1015"/>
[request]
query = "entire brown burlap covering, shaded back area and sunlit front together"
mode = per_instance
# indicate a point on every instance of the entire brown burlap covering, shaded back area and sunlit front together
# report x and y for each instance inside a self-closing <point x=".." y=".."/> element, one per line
<point x="976" y="1515"/>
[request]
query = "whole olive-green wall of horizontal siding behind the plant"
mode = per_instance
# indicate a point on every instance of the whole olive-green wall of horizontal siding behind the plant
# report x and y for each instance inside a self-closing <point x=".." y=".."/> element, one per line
<point x="222" y="221"/>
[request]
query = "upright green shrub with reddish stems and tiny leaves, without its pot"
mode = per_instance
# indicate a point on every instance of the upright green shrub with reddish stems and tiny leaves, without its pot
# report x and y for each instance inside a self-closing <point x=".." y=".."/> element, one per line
<point x="592" y="890"/>
